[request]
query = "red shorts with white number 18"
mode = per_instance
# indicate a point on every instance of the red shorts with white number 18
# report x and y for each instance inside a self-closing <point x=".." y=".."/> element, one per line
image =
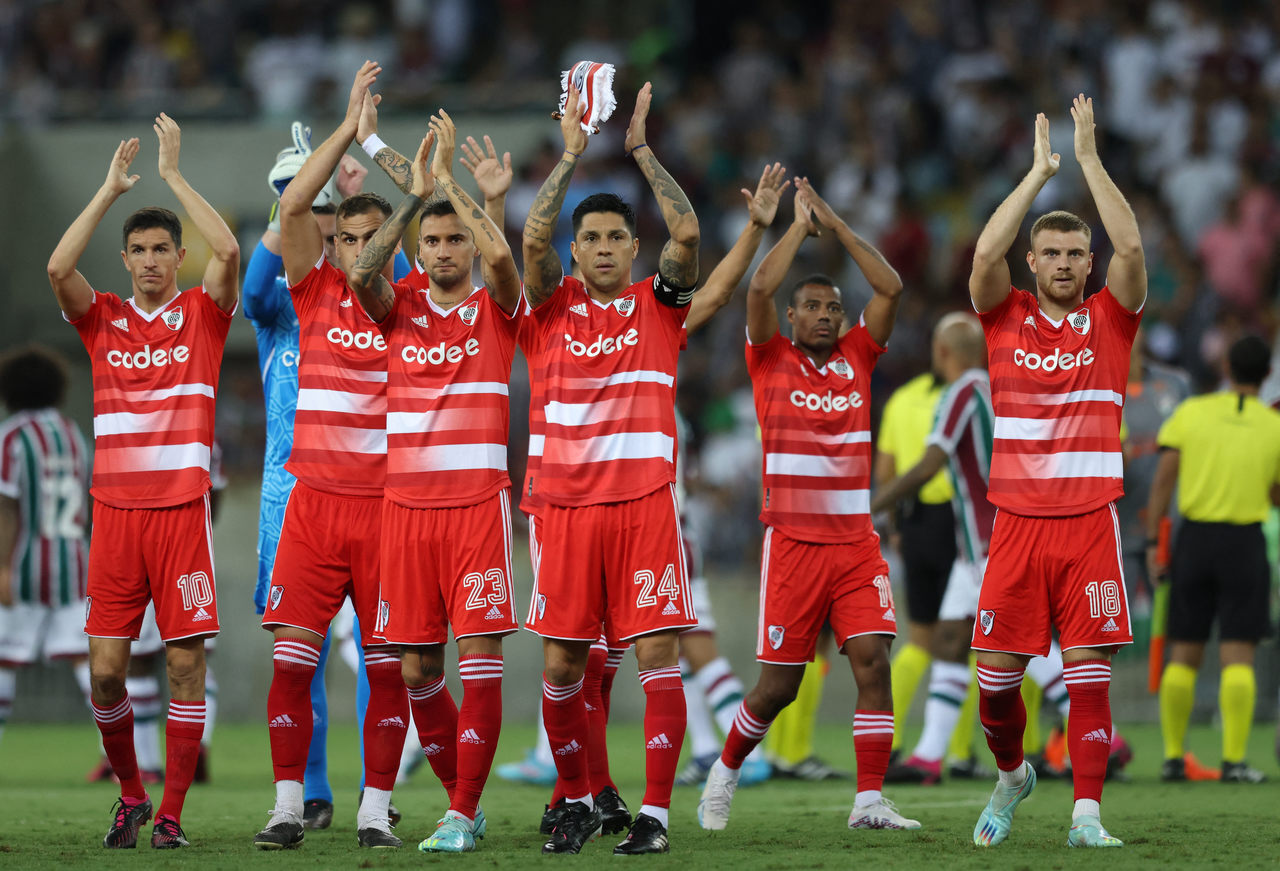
<point x="1062" y="573"/>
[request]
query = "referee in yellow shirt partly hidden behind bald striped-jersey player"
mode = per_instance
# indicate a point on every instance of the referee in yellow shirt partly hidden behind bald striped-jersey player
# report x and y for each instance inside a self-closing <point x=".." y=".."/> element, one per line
<point x="926" y="527"/>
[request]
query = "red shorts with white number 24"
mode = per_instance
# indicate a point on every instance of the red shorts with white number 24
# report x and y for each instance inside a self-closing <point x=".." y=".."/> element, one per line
<point x="620" y="566"/>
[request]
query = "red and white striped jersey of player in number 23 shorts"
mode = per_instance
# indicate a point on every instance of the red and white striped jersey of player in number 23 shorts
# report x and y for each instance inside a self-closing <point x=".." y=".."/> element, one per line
<point x="447" y="399"/>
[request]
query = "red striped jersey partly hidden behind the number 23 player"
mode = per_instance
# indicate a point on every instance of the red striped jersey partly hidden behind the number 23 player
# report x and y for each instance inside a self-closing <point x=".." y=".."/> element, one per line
<point x="340" y="430"/>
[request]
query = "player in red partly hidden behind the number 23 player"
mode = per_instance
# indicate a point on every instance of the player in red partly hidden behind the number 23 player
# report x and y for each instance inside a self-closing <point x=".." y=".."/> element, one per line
<point x="331" y="540"/>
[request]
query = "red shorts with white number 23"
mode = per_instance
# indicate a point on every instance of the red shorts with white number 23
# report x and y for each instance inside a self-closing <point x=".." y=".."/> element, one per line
<point x="445" y="567"/>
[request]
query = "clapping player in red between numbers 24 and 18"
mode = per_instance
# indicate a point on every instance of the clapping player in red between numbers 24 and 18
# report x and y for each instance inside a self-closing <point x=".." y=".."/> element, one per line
<point x="822" y="559"/>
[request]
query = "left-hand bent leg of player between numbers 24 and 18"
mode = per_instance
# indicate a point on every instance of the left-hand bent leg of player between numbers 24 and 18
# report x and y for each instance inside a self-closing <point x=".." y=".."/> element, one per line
<point x="776" y="690"/>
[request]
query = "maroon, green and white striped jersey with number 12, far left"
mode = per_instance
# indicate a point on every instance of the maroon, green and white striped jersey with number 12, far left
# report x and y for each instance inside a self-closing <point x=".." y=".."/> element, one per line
<point x="44" y="468"/>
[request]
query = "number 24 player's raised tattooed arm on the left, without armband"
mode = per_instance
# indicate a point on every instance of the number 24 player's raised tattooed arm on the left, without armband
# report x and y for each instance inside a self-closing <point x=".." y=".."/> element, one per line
<point x="543" y="270"/>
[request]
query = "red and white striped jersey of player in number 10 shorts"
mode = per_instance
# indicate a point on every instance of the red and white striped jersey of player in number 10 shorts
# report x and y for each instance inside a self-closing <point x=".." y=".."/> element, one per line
<point x="156" y="384"/>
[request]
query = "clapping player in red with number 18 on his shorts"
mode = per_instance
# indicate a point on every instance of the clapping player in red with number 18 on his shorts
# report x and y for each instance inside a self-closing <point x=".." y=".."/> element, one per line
<point x="1059" y="371"/>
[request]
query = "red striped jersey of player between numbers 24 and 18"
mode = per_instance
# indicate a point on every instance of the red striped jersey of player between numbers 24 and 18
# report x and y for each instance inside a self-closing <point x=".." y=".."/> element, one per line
<point x="816" y="428"/>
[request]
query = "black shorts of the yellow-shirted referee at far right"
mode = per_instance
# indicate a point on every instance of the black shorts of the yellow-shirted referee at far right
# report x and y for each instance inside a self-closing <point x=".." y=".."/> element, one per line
<point x="1219" y="569"/>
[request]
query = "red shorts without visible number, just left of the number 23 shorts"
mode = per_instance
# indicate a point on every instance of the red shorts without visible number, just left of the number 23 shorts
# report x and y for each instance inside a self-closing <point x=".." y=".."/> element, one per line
<point x="330" y="550"/>
